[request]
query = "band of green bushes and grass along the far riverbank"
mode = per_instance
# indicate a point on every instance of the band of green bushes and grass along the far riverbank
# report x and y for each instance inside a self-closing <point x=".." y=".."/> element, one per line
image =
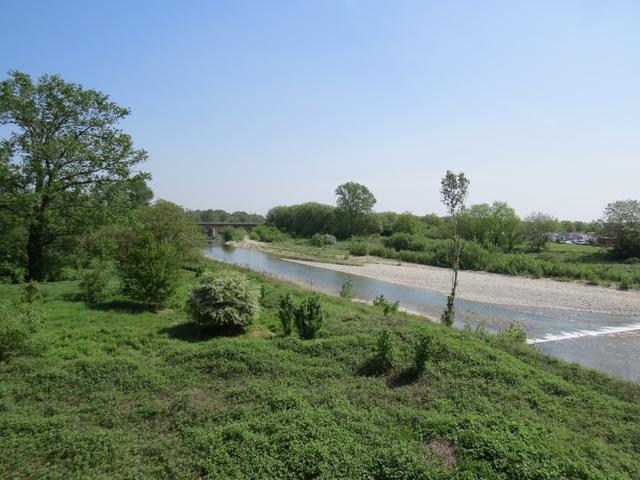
<point x="493" y="239"/>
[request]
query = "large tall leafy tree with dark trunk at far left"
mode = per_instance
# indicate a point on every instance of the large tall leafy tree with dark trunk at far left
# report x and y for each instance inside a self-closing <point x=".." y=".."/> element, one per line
<point x="63" y="158"/>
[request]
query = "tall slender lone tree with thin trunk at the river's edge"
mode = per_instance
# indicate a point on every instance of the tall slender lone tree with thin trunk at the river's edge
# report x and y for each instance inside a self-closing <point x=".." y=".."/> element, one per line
<point x="453" y="192"/>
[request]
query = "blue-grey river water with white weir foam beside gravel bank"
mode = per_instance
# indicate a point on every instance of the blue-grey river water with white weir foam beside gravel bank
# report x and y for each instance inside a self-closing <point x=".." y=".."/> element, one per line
<point x="610" y="343"/>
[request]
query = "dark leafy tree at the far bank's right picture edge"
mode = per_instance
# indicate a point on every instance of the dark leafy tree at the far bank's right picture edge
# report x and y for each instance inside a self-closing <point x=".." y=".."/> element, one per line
<point x="622" y="222"/>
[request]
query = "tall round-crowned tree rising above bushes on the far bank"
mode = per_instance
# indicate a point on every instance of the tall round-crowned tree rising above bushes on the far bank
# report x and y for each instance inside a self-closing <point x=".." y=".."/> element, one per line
<point x="355" y="202"/>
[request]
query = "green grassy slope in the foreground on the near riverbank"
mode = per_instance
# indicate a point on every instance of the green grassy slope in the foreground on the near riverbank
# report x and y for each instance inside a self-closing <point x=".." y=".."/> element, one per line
<point x="121" y="393"/>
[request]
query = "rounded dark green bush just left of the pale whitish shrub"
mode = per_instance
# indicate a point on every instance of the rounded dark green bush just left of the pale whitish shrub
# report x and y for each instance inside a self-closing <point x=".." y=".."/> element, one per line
<point x="149" y="271"/>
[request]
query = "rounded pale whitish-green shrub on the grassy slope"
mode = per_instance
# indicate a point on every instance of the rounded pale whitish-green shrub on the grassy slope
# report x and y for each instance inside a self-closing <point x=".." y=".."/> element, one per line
<point x="226" y="301"/>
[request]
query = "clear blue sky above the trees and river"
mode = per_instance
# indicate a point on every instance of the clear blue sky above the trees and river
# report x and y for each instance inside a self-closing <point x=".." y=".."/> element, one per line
<point x="245" y="105"/>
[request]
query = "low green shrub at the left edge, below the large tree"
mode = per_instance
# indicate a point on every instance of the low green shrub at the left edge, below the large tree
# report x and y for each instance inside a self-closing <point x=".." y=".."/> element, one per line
<point x="17" y="325"/>
